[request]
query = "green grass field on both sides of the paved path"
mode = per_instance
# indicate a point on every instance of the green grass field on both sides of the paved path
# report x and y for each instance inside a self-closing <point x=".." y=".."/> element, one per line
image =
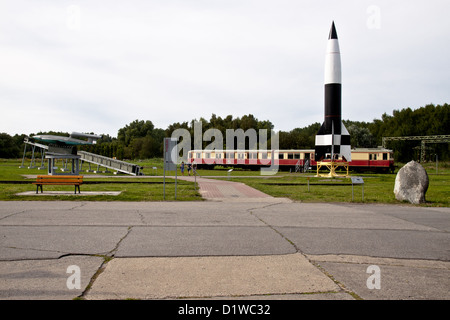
<point x="378" y="188"/>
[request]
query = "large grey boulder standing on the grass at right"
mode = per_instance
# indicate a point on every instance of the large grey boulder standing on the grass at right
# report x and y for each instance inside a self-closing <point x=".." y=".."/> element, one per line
<point x="411" y="183"/>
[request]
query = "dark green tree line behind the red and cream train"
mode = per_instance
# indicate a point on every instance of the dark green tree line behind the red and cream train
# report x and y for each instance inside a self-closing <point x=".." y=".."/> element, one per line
<point x="141" y="140"/>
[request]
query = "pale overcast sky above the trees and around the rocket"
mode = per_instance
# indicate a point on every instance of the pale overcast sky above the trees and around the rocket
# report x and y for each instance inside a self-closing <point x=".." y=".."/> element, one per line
<point x="96" y="66"/>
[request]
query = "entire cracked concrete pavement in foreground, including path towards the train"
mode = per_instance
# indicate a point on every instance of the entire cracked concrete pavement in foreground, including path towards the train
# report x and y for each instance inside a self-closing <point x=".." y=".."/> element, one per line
<point x="241" y="245"/>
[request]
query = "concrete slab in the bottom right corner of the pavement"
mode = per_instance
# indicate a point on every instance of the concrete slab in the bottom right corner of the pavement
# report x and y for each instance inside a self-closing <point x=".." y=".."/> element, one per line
<point x="399" y="279"/>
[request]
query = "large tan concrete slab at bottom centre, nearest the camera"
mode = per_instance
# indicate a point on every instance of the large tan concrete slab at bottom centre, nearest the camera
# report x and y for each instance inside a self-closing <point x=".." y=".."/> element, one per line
<point x="185" y="277"/>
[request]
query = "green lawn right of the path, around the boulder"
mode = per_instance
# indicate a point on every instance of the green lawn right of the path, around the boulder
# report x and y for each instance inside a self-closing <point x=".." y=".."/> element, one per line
<point x="378" y="188"/>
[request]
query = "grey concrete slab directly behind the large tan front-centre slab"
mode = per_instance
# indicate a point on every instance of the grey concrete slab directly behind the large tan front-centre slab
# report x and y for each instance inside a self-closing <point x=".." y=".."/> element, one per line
<point x="202" y="241"/>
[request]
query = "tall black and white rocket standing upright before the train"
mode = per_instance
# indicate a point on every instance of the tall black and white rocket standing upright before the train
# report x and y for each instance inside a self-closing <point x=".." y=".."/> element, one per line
<point x="333" y="139"/>
